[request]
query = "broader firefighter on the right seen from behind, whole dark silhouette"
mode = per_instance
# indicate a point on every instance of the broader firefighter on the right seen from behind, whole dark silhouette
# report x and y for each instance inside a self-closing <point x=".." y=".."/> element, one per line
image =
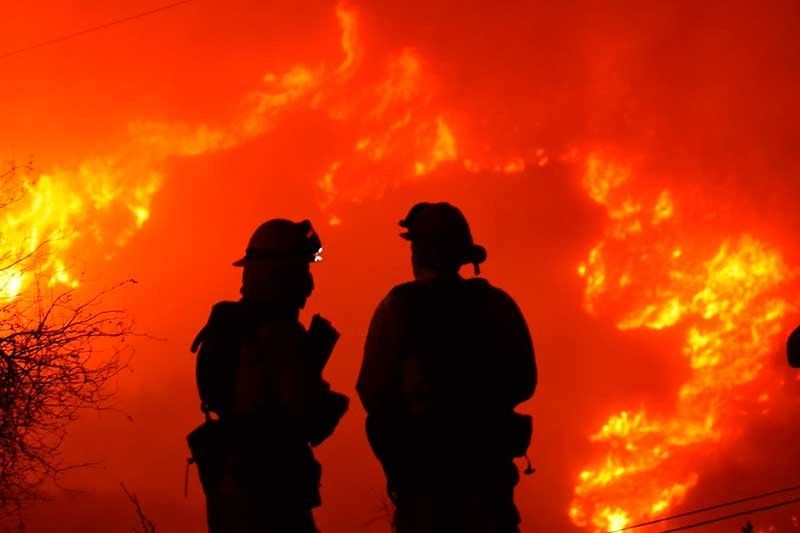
<point x="446" y="361"/>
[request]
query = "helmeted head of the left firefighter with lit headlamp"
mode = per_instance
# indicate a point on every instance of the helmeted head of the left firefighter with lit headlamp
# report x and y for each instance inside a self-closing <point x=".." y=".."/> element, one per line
<point x="276" y="265"/>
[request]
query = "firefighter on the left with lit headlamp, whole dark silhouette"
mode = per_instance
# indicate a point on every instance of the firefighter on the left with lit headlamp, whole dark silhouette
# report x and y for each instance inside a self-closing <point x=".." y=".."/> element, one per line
<point x="259" y="376"/>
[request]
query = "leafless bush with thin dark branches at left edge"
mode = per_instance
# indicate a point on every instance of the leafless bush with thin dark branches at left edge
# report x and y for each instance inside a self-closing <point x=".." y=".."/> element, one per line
<point x="58" y="353"/>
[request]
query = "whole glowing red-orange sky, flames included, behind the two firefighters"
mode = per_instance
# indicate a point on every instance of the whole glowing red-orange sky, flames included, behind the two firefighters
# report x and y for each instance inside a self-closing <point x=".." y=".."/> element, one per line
<point x="632" y="169"/>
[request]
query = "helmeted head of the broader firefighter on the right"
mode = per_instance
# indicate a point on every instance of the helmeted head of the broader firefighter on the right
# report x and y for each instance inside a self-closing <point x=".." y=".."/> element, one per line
<point x="441" y="241"/>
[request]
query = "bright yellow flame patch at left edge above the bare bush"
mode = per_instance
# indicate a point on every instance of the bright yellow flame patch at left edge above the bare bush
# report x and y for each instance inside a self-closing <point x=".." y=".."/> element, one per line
<point x="44" y="216"/>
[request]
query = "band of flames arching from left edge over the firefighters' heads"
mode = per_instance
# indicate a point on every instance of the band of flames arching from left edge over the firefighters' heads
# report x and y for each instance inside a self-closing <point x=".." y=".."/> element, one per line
<point x="399" y="130"/>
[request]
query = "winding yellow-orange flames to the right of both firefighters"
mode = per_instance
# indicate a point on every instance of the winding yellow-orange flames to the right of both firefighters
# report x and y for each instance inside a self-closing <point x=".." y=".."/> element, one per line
<point x="648" y="272"/>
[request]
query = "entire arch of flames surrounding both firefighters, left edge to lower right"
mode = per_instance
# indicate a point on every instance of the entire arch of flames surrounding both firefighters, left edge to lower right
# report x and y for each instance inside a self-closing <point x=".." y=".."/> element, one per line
<point x="645" y="271"/>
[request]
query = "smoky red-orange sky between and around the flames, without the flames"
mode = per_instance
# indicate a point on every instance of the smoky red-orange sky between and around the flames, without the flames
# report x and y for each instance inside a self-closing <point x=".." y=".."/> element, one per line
<point x="703" y="99"/>
